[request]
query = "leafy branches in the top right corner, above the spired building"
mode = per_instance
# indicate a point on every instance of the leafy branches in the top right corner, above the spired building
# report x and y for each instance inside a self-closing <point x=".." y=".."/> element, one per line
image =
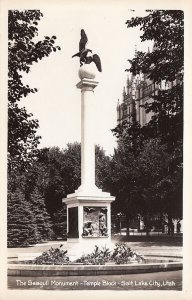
<point x="166" y="28"/>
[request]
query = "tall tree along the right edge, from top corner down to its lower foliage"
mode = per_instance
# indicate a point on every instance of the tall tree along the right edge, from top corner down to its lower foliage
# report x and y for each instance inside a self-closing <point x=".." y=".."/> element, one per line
<point x="165" y="63"/>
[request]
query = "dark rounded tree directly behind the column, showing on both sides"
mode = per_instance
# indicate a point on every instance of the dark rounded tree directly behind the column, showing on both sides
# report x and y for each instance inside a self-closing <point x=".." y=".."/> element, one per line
<point x="57" y="173"/>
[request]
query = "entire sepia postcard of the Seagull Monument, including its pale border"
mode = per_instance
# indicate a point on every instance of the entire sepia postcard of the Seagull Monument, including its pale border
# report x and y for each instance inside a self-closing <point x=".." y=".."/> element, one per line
<point x="95" y="195"/>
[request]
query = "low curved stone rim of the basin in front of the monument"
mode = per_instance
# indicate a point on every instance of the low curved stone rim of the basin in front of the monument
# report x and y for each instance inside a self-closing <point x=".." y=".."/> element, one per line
<point x="153" y="264"/>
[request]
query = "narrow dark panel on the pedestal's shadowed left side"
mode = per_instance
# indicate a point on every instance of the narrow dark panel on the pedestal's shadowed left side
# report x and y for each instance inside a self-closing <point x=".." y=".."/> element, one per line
<point x="73" y="222"/>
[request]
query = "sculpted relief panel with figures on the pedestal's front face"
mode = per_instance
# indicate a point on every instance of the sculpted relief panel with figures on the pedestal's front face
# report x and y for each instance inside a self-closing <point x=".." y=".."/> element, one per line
<point x="95" y="221"/>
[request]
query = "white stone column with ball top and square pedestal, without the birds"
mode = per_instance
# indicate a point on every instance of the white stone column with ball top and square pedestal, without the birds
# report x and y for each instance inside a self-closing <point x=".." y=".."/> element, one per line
<point x="88" y="204"/>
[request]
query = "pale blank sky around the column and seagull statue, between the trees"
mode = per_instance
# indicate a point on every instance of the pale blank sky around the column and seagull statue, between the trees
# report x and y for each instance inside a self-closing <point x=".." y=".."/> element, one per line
<point x="57" y="103"/>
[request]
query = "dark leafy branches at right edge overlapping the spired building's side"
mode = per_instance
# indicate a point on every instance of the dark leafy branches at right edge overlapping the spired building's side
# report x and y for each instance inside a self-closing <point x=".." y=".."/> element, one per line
<point x="167" y="121"/>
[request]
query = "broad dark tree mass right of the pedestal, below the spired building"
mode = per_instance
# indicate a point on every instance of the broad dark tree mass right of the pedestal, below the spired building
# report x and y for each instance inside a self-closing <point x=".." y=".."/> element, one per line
<point x="142" y="176"/>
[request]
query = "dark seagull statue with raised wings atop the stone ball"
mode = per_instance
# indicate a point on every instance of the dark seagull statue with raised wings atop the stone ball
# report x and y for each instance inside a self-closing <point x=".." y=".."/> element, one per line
<point x="83" y="53"/>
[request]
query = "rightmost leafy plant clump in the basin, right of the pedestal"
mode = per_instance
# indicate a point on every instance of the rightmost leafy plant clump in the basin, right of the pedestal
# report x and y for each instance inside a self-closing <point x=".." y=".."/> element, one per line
<point x="122" y="254"/>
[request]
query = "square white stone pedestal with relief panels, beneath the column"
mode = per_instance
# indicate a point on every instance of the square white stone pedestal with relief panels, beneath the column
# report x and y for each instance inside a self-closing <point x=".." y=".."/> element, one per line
<point x="88" y="221"/>
